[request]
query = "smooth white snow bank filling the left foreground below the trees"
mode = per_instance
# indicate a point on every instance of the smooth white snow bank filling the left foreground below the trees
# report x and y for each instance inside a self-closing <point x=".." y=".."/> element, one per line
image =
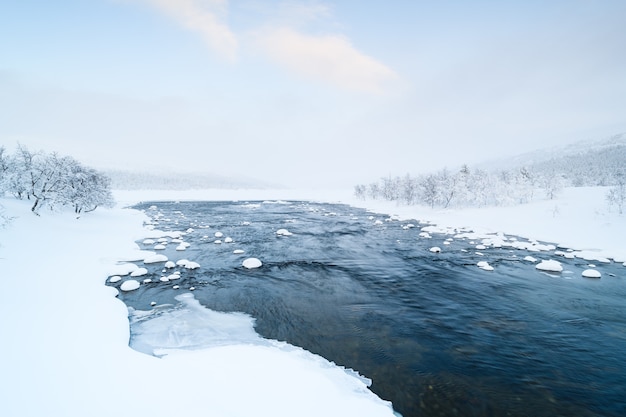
<point x="86" y="368"/>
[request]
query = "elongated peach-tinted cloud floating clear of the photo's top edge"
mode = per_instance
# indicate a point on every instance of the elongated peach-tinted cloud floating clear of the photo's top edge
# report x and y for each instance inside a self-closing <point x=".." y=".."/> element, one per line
<point x="329" y="58"/>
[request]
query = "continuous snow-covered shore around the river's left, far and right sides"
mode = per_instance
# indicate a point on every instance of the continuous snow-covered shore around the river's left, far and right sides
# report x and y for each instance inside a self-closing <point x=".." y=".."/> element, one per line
<point x="65" y="335"/>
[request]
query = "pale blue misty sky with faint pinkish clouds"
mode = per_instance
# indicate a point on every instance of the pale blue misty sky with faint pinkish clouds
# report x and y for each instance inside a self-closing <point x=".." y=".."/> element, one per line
<point x="308" y="93"/>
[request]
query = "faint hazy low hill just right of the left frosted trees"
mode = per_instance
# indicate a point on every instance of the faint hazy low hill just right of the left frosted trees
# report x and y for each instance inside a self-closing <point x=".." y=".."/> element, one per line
<point x="136" y="180"/>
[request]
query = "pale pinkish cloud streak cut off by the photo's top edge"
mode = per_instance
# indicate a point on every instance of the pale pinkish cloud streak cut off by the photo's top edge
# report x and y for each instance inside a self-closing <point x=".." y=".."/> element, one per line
<point x="204" y="17"/>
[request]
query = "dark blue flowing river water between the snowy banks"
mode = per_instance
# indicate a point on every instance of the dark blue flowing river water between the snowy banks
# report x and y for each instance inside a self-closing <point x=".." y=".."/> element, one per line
<point x="437" y="335"/>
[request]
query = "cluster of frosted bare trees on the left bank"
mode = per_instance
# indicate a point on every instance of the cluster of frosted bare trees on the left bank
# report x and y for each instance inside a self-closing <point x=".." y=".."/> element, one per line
<point x="51" y="180"/>
